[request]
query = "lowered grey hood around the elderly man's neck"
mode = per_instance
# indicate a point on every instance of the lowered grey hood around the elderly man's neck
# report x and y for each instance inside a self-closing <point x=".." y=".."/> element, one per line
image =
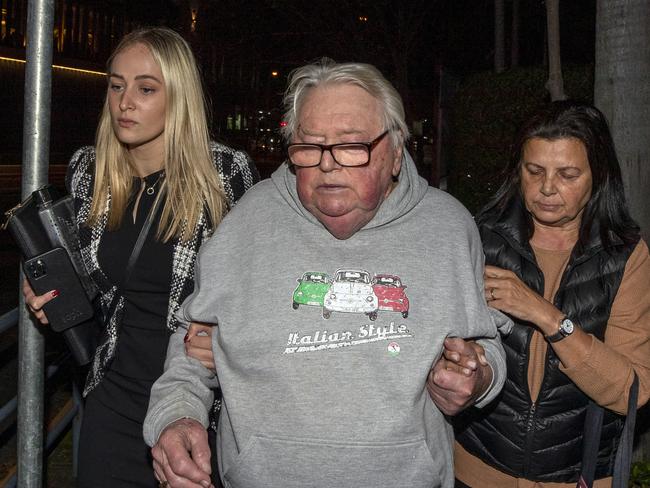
<point x="408" y="192"/>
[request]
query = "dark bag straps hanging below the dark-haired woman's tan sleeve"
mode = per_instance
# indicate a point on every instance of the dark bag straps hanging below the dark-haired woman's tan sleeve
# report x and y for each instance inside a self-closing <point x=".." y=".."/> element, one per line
<point x="593" y="427"/>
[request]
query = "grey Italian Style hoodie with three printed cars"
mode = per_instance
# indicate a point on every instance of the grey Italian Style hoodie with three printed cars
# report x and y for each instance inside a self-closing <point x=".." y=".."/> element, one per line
<point x="324" y="345"/>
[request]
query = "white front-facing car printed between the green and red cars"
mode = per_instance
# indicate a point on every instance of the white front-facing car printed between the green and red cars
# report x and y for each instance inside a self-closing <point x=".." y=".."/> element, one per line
<point x="351" y="291"/>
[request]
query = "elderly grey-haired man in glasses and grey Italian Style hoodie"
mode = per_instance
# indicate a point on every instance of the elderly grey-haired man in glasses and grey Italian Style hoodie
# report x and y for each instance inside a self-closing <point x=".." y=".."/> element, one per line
<point x="334" y="286"/>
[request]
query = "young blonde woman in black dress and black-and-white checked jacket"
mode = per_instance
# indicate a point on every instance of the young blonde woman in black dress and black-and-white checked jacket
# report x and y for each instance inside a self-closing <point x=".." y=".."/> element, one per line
<point x="153" y="160"/>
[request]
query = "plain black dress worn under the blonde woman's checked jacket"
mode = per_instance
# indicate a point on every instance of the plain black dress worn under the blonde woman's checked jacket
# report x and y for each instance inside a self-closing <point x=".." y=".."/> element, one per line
<point x="112" y="451"/>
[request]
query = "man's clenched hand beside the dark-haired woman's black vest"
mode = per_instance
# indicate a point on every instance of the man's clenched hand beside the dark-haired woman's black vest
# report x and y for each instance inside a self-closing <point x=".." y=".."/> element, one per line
<point x="459" y="377"/>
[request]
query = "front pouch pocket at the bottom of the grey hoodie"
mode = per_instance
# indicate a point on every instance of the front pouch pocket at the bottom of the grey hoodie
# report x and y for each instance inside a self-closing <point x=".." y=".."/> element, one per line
<point x="304" y="463"/>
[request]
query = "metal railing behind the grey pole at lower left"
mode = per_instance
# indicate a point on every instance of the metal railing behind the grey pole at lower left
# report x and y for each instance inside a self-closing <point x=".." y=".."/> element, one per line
<point x="70" y="413"/>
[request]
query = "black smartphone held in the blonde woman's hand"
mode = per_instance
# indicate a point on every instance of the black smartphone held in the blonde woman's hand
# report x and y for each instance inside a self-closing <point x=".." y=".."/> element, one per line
<point x="53" y="270"/>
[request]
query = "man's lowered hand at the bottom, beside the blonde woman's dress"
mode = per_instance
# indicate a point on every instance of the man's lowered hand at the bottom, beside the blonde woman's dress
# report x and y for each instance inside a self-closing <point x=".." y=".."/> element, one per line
<point x="181" y="457"/>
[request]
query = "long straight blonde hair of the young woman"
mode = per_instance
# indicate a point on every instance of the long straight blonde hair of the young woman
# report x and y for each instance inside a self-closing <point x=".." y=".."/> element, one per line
<point x="191" y="181"/>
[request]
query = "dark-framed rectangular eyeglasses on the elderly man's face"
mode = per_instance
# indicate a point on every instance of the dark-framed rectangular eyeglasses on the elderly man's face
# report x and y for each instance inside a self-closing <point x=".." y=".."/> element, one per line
<point x="345" y="153"/>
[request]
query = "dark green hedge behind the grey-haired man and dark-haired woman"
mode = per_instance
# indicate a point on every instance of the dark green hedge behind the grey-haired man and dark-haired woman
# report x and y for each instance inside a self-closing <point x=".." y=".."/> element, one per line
<point x="488" y="109"/>
